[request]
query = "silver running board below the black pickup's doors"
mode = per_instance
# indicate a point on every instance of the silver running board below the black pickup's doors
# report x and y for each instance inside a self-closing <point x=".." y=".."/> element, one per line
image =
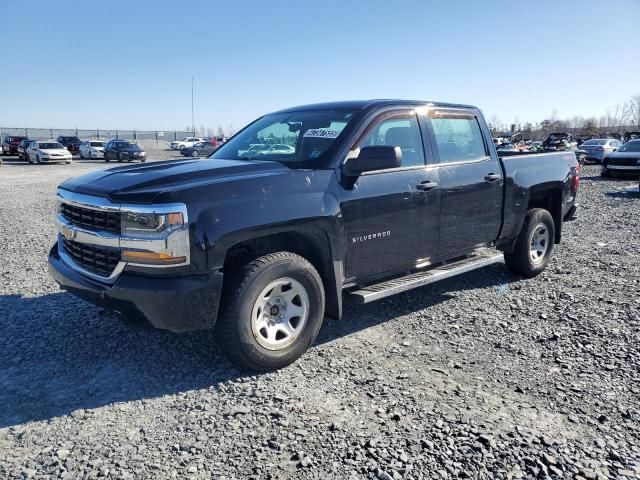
<point x="397" y="285"/>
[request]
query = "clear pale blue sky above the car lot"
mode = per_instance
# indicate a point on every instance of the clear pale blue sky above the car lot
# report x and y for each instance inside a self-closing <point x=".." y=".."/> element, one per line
<point x="128" y="64"/>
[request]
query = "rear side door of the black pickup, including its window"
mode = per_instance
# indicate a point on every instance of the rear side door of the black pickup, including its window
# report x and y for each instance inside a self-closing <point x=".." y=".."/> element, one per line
<point x="470" y="179"/>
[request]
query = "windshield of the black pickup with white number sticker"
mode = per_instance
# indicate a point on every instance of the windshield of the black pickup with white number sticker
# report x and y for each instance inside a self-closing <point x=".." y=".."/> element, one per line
<point x="297" y="137"/>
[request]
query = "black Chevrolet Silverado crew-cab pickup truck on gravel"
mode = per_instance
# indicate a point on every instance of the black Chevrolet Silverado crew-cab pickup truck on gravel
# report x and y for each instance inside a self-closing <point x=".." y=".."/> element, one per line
<point x="374" y="198"/>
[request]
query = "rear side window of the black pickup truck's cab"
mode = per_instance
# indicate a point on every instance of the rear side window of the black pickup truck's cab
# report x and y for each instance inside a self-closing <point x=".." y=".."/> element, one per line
<point x="458" y="138"/>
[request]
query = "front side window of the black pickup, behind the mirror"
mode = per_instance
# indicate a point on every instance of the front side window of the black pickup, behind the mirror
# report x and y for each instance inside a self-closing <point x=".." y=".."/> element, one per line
<point x="398" y="131"/>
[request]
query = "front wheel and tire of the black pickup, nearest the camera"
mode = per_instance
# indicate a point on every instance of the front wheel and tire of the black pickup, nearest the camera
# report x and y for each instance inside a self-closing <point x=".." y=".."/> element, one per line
<point x="272" y="312"/>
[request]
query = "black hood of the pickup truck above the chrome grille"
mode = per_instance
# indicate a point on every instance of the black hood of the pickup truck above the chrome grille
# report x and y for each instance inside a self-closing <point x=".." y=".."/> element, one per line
<point x="142" y="183"/>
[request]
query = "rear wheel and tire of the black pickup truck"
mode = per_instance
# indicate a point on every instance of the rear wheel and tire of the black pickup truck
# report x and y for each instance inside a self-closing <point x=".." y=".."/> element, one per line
<point x="534" y="246"/>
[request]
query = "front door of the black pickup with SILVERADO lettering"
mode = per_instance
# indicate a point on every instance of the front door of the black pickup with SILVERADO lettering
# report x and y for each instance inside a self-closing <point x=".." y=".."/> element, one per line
<point x="391" y="217"/>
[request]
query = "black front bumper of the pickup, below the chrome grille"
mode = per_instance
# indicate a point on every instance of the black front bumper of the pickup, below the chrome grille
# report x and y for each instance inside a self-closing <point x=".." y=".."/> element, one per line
<point x="177" y="304"/>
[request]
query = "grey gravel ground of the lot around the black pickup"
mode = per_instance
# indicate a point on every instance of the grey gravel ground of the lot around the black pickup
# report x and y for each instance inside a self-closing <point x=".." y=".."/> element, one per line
<point x="482" y="376"/>
